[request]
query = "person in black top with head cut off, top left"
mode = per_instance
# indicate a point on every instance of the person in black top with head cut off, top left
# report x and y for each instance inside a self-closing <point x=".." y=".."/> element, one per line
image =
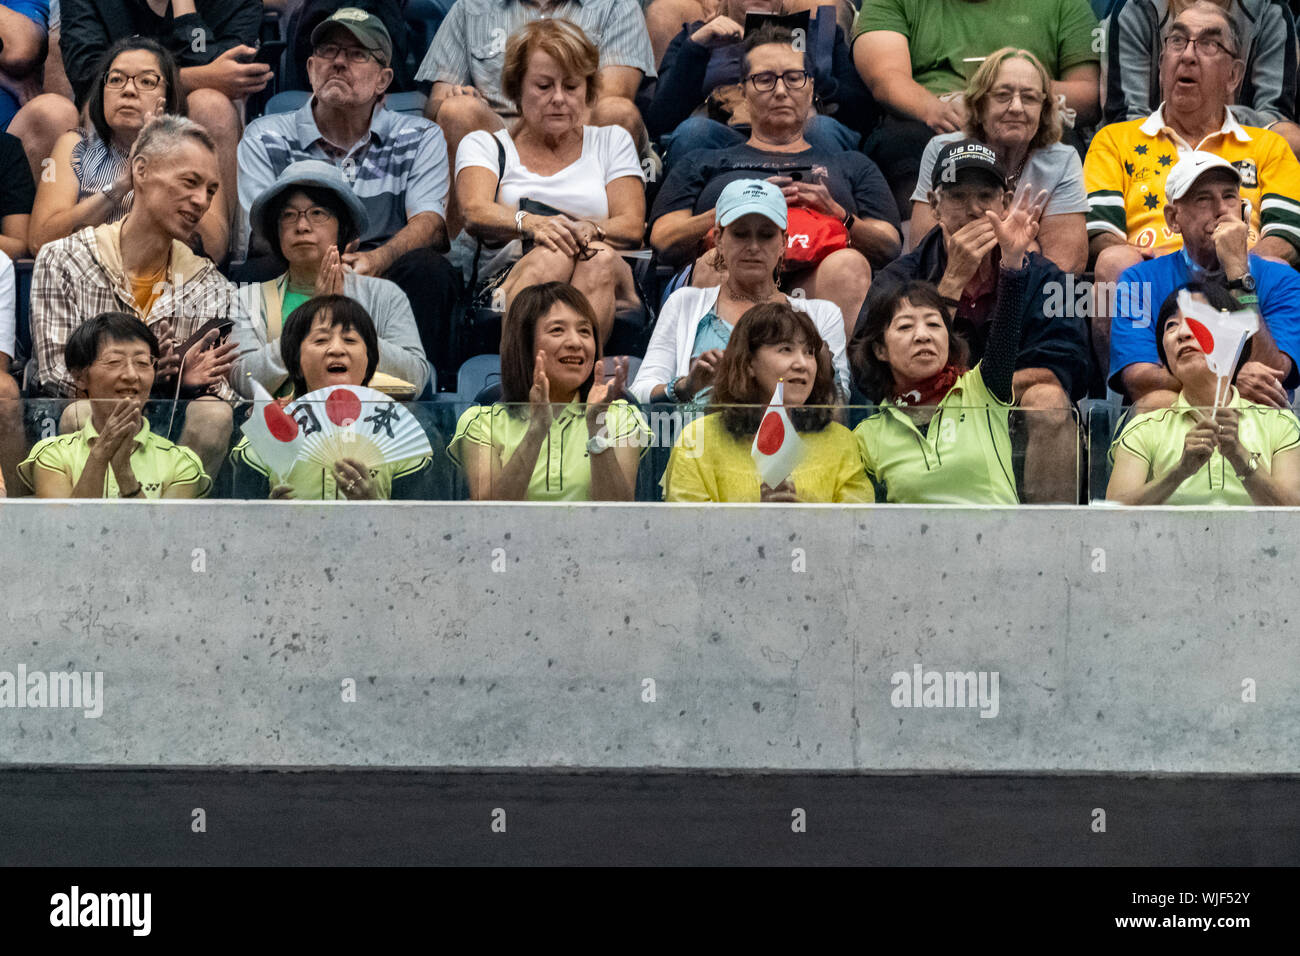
<point x="214" y="42"/>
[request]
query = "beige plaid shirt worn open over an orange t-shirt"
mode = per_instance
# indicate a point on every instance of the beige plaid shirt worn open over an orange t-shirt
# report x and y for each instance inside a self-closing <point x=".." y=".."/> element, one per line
<point x="75" y="280"/>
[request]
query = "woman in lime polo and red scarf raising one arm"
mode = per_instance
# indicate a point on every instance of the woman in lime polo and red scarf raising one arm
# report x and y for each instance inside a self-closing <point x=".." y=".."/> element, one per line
<point x="941" y="435"/>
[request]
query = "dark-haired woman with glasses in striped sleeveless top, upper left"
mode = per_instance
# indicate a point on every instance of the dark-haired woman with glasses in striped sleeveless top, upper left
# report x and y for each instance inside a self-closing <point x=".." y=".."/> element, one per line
<point x="89" y="181"/>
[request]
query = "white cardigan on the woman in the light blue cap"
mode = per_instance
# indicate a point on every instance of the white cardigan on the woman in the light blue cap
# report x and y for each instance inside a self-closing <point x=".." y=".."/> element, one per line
<point x="669" y="354"/>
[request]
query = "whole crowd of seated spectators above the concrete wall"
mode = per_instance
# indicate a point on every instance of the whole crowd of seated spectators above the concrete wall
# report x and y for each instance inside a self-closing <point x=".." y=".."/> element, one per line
<point x="950" y="231"/>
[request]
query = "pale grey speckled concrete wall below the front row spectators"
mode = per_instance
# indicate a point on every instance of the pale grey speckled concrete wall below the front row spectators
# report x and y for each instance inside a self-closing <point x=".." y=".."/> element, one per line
<point x="514" y="635"/>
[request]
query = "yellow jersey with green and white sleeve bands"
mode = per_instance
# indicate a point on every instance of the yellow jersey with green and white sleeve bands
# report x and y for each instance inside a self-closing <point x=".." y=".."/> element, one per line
<point x="1128" y="165"/>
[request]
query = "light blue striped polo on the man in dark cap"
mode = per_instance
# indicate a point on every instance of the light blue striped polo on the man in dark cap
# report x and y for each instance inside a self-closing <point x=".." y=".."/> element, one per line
<point x="398" y="171"/>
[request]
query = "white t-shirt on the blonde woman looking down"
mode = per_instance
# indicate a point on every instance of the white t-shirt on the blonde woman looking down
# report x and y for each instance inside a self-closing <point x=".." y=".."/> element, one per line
<point x="609" y="154"/>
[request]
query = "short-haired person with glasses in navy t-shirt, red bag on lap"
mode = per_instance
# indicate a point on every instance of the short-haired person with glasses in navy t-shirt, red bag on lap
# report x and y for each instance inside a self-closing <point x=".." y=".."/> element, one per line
<point x="827" y="187"/>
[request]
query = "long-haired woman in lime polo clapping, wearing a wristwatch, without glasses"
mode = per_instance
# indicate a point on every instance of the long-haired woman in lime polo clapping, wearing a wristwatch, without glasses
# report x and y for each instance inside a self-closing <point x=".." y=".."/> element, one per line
<point x="552" y="400"/>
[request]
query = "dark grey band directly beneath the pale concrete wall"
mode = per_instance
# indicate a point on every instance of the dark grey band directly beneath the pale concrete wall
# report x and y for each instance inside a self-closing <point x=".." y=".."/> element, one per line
<point x="346" y="817"/>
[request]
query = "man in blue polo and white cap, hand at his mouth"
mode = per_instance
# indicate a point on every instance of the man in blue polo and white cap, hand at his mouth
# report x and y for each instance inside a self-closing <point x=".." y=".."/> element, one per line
<point x="1204" y="204"/>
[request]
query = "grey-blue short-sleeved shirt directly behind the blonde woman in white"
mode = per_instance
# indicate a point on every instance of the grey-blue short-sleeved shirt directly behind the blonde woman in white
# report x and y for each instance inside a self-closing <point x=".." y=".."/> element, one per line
<point x="470" y="47"/>
